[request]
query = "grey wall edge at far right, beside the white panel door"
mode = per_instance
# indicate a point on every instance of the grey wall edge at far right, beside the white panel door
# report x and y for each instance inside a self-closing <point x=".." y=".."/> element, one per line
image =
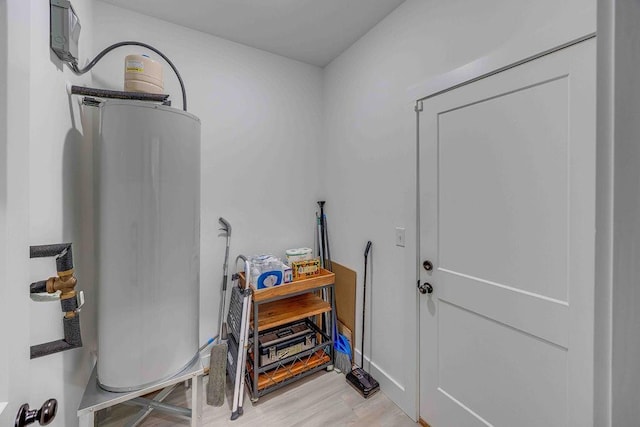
<point x="625" y="298"/>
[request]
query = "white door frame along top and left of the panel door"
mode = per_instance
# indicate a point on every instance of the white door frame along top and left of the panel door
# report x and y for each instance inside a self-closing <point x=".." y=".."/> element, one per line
<point x="477" y="70"/>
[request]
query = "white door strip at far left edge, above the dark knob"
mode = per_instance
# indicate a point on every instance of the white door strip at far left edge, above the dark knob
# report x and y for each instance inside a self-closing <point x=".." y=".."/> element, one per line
<point x="15" y="143"/>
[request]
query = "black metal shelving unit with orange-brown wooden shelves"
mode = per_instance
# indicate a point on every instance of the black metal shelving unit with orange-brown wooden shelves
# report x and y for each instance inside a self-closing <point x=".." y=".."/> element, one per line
<point x="284" y="304"/>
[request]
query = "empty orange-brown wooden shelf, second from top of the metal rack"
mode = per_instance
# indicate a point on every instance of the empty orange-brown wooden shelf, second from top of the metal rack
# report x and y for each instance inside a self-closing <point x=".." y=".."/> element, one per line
<point x="280" y="312"/>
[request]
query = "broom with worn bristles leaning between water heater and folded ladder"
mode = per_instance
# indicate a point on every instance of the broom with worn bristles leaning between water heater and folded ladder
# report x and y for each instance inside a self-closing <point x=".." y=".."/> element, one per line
<point x="218" y="360"/>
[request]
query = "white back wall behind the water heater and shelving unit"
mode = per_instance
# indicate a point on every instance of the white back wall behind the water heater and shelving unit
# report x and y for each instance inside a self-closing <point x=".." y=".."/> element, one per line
<point x="261" y="120"/>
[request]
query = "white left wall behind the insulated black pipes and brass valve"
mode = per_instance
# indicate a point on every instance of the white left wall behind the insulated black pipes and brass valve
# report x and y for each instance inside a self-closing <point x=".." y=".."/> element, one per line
<point x="59" y="207"/>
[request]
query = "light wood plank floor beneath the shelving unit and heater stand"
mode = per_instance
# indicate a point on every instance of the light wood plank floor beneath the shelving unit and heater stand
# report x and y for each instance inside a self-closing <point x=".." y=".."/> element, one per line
<point x="322" y="399"/>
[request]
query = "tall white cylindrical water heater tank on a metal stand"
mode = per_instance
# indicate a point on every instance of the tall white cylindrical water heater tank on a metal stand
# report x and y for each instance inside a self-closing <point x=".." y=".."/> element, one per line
<point x="147" y="161"/>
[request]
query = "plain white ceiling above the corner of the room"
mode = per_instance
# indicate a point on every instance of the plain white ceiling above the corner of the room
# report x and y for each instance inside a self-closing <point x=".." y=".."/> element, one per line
<point x="311" y="31"/>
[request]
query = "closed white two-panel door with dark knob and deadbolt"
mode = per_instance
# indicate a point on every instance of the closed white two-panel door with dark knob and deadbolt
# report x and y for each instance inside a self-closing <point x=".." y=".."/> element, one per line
<point x="507" y="217"/>
